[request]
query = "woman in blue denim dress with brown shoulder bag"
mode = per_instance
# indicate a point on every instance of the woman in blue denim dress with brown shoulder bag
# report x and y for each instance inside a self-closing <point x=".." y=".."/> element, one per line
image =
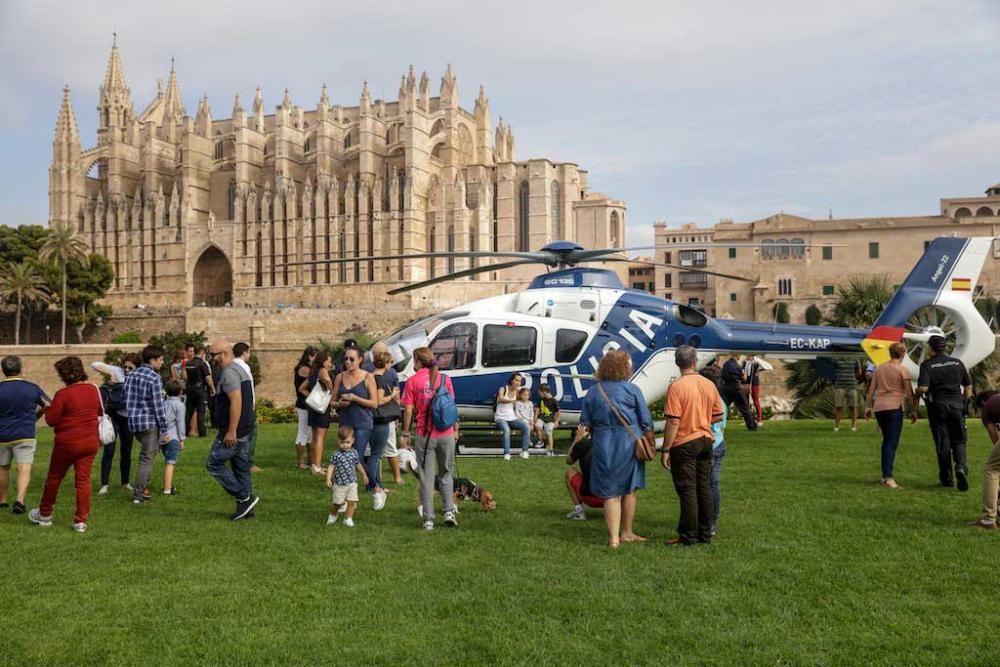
<point x="615" y="472"/>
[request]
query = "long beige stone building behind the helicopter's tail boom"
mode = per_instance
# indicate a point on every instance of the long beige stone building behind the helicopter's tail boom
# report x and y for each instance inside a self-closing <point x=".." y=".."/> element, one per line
<point x="801" y="262"/>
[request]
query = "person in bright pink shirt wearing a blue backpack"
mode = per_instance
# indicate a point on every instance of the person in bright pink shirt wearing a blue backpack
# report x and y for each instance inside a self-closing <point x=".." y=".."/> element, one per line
<point x="430" y="396"/>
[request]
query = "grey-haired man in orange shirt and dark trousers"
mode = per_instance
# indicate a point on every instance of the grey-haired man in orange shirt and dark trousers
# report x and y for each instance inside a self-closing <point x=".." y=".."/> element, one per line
<point x="693" y="404"/>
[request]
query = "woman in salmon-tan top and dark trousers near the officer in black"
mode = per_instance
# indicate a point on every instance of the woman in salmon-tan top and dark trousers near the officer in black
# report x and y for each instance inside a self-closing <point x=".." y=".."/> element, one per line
<point x="889" y="389"/>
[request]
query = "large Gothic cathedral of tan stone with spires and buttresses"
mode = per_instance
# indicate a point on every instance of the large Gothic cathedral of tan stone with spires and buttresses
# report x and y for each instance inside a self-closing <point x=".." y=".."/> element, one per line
<point x="206" y="212"/>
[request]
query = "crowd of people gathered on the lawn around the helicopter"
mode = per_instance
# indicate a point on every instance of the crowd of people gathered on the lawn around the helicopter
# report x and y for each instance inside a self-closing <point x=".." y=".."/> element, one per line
<point x="361" y="394"/>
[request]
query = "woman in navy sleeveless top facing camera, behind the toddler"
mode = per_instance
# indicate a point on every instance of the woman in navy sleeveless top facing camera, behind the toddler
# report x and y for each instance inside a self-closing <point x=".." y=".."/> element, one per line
<point x="356" y="397"/>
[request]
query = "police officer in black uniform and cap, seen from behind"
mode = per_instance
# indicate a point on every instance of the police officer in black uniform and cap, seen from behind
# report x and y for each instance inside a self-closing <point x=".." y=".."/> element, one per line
<point x="945" y="384"/>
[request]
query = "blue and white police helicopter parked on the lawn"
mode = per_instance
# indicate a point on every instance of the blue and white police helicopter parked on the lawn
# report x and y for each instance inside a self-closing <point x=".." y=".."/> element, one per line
<point x="557" y="330"/>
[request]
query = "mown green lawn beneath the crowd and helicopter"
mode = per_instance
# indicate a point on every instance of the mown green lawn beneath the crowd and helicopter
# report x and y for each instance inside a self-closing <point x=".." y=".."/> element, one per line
<point x="814" y="563"/>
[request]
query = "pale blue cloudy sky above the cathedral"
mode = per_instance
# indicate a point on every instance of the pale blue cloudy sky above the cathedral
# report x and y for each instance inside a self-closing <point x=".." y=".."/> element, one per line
<point x="687" y="111"/>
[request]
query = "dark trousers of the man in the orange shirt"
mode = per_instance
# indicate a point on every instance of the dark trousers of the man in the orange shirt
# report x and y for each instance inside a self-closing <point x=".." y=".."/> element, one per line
<point x="691" y="469"/>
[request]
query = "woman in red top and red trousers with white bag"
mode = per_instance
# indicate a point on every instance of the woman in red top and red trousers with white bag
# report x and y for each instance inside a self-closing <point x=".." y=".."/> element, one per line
<point x="73" y="415"/>
